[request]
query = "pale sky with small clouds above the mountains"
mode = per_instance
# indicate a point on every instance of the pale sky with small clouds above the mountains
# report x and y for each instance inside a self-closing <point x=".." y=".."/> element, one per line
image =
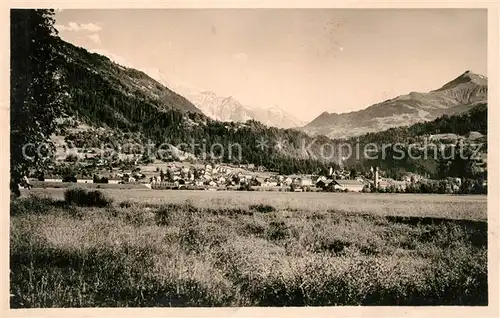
<point x="306" y="61"/>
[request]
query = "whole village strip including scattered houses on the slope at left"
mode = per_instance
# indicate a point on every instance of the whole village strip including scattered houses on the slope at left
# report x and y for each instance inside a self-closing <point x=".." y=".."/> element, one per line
<point x="180" y="171"/>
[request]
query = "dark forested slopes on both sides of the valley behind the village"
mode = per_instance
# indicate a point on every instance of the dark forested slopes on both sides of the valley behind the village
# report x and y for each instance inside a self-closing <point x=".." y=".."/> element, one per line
<point x="105" y="94"/>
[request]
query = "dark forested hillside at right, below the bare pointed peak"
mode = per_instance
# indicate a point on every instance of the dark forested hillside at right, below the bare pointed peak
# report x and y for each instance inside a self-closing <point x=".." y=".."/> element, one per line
<point x="432" y="148"/>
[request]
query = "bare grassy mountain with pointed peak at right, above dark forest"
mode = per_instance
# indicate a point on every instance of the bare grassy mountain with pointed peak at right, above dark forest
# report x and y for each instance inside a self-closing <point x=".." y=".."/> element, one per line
<point x="456" y="96"/>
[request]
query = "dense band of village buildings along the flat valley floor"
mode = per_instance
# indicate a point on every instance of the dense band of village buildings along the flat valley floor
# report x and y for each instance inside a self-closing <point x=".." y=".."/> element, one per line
<point x="249" y="177"/>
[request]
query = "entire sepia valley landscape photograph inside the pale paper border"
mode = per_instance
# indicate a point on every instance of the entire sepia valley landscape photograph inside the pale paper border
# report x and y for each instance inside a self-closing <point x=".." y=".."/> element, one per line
<point x="248" y="157"/>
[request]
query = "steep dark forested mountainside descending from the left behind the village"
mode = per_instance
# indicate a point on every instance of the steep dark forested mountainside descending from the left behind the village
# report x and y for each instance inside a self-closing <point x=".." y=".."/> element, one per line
<point x="123" y="103"/>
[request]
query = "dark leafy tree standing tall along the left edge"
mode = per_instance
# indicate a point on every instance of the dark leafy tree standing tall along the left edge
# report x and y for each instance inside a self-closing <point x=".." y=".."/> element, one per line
<point x="36" y="98"/>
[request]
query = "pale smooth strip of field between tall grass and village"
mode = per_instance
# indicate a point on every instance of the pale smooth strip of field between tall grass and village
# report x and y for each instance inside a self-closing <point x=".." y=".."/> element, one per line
<point x="472" y="207"/>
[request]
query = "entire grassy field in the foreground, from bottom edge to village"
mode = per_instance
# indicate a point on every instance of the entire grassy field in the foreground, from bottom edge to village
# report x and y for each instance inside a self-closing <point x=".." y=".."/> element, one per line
<point x="186" y="248"/>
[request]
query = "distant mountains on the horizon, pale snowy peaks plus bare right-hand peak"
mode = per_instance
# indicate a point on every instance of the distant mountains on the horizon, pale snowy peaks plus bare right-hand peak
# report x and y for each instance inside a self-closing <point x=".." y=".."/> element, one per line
<point x="454" y="97"/>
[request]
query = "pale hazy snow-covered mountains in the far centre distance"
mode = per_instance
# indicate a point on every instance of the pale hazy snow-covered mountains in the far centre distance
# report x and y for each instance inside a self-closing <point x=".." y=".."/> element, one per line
<point x="226" y="108"/>
